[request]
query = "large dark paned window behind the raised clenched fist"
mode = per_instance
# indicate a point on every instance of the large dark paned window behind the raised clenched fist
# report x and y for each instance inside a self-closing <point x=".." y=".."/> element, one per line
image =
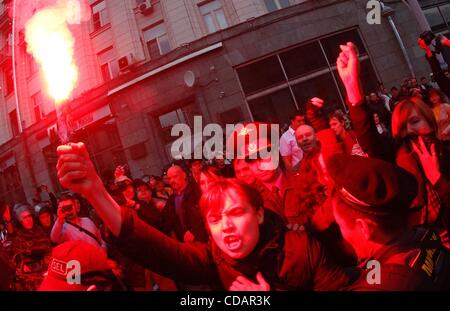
<point x="279" y="84"/>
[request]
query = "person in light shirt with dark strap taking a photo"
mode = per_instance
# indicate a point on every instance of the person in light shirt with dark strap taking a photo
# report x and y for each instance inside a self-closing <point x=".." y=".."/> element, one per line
<point x="70" y="227"/>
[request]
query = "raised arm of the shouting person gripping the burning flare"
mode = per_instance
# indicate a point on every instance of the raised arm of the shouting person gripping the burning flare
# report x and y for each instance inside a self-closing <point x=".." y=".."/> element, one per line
<point x="146" y="245"/>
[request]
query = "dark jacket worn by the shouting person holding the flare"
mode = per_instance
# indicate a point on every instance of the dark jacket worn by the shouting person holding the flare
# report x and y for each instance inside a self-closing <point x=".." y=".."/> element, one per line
<point x="290" y="260"/>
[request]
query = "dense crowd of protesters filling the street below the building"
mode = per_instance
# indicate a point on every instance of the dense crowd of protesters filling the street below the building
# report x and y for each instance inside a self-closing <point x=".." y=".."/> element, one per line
<point x="370" y="183"/>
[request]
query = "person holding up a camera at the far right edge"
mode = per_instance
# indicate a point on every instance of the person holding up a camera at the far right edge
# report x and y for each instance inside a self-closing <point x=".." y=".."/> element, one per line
<point x="426" y="43"/>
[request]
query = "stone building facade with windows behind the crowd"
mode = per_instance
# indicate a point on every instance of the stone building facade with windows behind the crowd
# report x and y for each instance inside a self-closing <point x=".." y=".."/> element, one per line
<point x="147" y="65"/>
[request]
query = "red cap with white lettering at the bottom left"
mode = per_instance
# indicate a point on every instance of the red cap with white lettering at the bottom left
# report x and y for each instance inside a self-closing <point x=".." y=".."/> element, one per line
<point x="71" y="255"/>
